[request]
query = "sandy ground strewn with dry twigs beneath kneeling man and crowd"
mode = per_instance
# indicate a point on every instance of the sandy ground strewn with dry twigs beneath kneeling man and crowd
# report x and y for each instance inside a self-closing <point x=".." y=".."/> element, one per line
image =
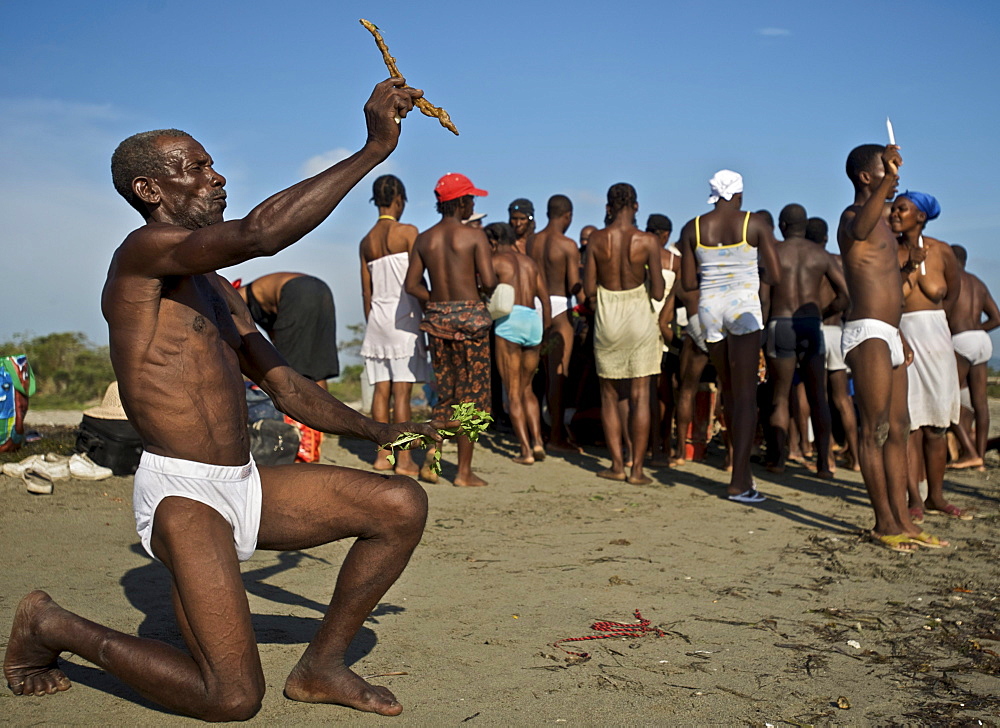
<point x="778" y="614"/>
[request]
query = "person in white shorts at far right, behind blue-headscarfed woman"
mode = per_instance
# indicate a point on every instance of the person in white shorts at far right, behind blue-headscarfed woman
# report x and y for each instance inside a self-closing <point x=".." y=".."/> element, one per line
<point x="973" y="350"/>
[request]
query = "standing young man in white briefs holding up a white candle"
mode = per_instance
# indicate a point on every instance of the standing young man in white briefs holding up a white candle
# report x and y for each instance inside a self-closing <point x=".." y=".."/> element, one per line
<point x="872" y="345"/>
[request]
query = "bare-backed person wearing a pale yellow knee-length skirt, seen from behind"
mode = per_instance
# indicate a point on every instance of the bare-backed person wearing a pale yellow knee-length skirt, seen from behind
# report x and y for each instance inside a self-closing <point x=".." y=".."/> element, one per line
<point x="620" y="261"/>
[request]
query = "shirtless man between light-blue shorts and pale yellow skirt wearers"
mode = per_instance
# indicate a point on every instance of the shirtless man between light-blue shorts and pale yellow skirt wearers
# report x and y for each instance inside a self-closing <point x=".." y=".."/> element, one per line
<point x="558" y="258"/>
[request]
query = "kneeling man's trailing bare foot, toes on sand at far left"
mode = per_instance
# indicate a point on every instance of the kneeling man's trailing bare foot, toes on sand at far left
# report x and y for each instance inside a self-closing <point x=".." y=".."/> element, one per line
<point x="29" y="667"/>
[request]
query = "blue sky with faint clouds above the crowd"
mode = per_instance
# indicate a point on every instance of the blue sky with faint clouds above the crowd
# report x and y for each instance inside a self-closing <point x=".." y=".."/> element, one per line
<point x="560" y="97"/>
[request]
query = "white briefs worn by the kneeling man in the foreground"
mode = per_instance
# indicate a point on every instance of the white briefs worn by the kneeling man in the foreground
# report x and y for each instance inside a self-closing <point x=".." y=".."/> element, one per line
<point x="232" y="490"/>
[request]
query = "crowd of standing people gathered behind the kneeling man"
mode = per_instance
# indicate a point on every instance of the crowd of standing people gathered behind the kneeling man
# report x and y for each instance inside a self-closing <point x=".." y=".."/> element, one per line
<point x="885" y="344"/>
